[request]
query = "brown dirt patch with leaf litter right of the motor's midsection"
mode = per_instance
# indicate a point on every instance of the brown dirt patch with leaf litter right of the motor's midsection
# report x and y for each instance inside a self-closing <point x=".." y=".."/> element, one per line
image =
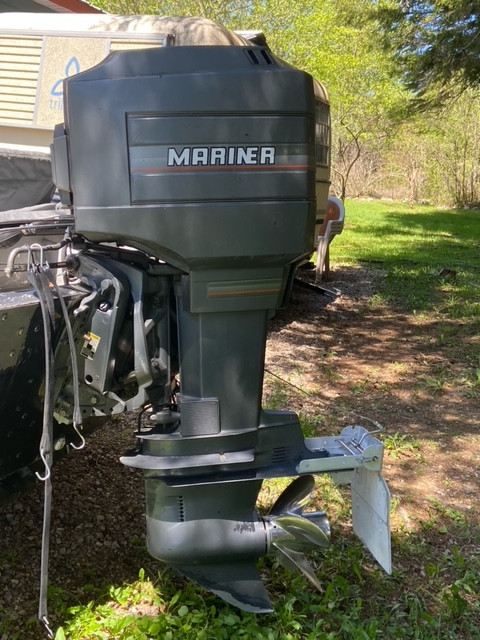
<point x="354" y="360"/>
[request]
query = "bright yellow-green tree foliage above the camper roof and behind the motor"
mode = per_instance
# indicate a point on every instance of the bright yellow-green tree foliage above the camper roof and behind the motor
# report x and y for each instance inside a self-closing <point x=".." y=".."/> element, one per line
<point x="338" y="44"/>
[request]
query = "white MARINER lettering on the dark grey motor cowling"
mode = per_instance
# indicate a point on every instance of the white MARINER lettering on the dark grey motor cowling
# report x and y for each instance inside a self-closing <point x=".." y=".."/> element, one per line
<point x="220" y="156"/>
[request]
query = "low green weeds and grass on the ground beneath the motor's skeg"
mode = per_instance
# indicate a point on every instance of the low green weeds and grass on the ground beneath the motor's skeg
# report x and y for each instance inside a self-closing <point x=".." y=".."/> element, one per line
<point x="357" y="602"/>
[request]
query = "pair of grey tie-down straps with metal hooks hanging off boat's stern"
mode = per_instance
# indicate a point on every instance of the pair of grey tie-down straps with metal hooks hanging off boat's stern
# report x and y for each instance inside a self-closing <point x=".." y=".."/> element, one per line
<point x="43" y="282"/>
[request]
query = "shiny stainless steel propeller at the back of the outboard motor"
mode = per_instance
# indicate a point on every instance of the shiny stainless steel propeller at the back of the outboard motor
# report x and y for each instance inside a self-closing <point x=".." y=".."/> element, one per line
<point x="292" y="532"/>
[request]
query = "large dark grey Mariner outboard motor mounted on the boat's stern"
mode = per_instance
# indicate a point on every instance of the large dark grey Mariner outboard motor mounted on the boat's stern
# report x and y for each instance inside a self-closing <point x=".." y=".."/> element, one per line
<point x="194" y="175"/>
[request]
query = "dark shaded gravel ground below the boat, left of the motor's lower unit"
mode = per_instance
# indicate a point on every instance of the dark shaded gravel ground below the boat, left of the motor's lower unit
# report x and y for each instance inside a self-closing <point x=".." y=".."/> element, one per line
<point x="97" y="532"/>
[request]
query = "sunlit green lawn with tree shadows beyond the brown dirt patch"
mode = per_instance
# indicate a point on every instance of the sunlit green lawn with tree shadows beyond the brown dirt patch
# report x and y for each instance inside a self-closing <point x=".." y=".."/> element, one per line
<point x="431" y="256"/>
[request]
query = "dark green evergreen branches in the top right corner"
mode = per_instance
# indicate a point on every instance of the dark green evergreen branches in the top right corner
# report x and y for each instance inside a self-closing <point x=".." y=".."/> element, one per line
<point x="436" y="44"/>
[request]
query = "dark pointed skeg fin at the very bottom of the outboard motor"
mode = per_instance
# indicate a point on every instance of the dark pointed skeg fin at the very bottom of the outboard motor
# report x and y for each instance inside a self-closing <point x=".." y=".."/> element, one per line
<point x="238" y="583"/>
